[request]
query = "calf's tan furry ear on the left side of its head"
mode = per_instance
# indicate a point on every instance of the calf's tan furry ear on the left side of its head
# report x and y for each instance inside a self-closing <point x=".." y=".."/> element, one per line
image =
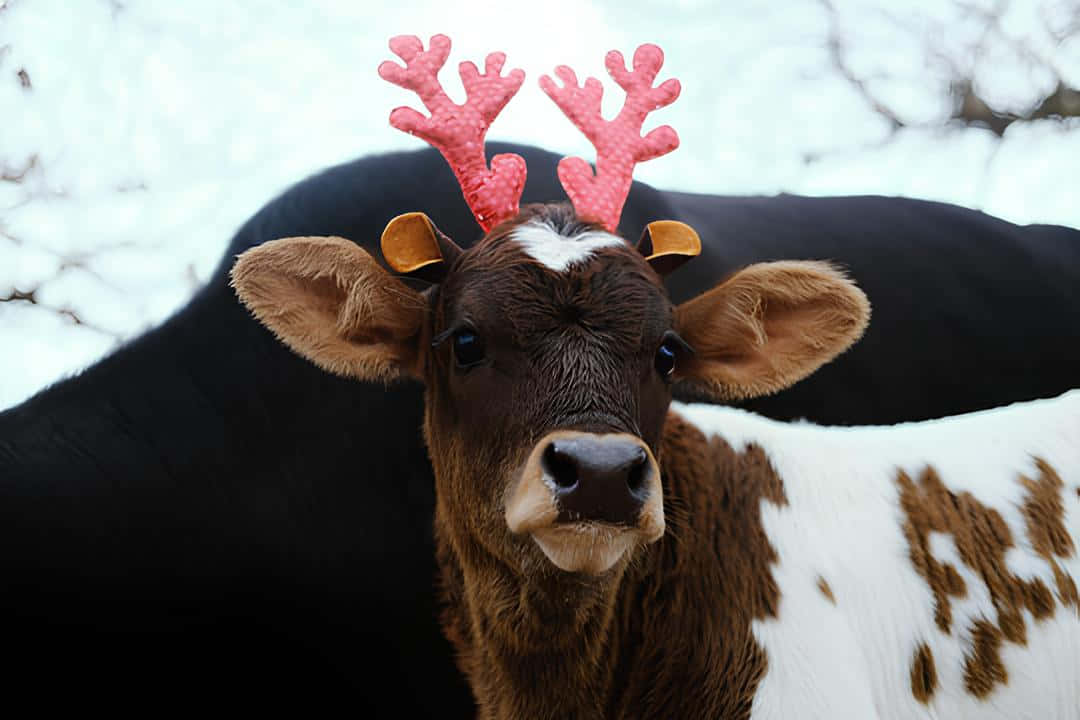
<point x="333" y="304"/>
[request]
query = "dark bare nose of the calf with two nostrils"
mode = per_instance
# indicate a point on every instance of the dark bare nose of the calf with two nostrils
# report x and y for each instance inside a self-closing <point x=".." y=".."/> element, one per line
<point x="599" y="478"/>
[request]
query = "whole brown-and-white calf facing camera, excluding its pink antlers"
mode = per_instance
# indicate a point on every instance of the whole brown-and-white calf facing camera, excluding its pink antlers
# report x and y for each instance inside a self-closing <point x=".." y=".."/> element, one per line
<point x="605" y="554"/>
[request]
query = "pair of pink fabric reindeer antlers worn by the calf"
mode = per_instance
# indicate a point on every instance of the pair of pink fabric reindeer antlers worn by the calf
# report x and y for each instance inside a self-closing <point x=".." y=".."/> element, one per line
<point x="458" y="131"/>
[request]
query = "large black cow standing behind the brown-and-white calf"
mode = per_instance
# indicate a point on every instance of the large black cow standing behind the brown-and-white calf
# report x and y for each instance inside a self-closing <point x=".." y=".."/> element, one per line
<point x="204" y="520"/>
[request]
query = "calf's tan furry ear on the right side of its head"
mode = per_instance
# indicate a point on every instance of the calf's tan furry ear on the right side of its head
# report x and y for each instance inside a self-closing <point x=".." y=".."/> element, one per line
<point x="768" y="327"/>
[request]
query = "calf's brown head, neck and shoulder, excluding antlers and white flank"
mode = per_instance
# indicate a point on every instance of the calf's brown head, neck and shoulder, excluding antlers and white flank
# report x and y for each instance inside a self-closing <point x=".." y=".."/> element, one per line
<point x="549" y="351"/>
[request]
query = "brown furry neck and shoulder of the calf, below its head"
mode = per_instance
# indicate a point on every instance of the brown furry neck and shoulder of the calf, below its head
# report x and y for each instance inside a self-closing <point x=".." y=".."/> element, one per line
<point x="629" y="636"/>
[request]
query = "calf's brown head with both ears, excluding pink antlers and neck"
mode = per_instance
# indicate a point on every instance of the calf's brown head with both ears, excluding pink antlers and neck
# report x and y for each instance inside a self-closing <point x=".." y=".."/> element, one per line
<point x="549" y="351"/>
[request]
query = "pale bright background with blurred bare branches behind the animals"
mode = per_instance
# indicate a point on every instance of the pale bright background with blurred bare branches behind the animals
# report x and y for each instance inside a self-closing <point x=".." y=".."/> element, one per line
<point x="138" y="135"/>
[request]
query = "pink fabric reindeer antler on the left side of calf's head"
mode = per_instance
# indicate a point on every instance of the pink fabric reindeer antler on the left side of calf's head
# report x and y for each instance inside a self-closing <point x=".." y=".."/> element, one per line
<point x="457" y="131"/>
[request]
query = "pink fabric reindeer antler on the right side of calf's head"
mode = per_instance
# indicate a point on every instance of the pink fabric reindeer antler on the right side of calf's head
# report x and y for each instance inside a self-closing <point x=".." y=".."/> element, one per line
<point x="619" y="143"/>
